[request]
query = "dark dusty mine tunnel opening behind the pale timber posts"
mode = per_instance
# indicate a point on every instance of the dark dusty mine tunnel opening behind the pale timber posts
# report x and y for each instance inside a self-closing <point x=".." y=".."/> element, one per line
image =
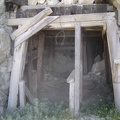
<point x="59" y="62"/>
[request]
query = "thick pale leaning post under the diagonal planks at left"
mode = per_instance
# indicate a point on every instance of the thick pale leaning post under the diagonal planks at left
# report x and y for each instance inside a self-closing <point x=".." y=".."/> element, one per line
<point x="17" y="73"/>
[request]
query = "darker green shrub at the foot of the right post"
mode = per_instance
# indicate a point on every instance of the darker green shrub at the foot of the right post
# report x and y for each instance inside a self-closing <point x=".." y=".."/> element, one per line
<point x="102" y="110"/>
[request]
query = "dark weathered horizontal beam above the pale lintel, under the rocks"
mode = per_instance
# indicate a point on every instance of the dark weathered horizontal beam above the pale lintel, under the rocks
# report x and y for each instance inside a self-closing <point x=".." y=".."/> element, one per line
<point x="67" y="9"/>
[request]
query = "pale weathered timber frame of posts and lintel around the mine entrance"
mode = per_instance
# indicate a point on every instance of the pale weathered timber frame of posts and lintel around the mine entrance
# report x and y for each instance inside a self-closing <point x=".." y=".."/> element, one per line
<point x="108" y="25"/>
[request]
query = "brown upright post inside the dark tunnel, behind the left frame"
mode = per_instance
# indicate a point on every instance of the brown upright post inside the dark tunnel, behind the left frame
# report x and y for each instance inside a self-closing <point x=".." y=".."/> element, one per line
<point x="40" y="61"/>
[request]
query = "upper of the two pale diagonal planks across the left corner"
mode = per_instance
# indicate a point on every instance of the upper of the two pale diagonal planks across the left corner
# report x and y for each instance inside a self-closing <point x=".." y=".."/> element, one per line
<point x="31" y="23"/>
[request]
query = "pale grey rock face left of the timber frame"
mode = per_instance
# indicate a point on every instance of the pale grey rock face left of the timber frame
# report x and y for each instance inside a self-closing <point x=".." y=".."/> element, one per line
<point x="5" y="46"/>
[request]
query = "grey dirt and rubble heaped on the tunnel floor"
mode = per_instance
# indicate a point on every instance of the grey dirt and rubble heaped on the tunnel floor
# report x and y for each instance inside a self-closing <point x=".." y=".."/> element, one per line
<point x="95" y="88"/>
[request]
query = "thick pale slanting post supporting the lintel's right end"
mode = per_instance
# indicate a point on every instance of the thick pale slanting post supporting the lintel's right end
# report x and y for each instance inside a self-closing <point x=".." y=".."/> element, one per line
<point x="114" y="53"/>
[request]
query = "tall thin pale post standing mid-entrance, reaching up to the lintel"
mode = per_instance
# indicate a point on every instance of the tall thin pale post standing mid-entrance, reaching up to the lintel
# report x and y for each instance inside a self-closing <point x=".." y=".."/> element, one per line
<point x="78" y="69"/>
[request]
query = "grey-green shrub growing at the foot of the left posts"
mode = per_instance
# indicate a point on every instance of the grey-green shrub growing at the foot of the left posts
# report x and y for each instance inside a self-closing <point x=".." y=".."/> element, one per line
<point x="41" y="110"/>
